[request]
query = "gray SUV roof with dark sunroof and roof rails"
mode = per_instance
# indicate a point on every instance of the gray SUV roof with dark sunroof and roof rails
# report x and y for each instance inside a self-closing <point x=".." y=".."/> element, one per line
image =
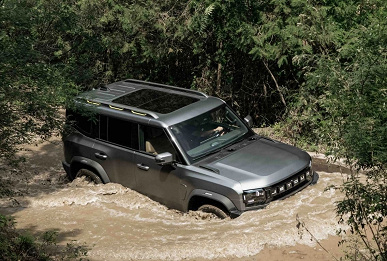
<point x="166" y="103"/>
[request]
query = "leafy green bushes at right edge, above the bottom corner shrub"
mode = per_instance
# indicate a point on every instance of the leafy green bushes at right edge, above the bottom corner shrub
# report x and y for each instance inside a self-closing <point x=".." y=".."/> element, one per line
<point x="343" y="101"/>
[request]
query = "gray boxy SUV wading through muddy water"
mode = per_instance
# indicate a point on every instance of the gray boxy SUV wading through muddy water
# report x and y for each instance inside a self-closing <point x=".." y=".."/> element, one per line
<point x="180" y="147"/>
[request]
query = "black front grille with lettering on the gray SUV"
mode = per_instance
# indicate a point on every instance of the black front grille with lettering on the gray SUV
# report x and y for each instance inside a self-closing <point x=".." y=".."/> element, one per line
<point x="289" y="185"/>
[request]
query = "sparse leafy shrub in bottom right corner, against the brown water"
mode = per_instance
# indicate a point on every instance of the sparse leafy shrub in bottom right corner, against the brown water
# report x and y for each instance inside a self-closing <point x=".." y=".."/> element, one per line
<point x="364" y="210"/>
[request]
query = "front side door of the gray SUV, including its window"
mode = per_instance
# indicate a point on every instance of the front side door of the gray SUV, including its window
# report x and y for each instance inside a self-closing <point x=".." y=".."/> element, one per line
<point x="160" y="183"/>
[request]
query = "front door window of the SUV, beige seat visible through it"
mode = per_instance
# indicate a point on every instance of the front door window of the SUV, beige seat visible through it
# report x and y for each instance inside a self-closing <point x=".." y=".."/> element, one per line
<point x="154" y="141"/>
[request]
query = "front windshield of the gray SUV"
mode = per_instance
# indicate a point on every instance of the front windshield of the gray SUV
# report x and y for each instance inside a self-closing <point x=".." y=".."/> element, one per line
<point x="208" y="132"/>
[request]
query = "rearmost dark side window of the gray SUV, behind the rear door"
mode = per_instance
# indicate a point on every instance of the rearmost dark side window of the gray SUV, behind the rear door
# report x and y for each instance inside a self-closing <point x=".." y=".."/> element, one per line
<point x="85" y="122"/>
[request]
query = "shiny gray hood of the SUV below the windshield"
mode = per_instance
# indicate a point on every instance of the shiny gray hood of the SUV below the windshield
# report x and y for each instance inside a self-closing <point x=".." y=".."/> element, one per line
<point x="262" y="163"/>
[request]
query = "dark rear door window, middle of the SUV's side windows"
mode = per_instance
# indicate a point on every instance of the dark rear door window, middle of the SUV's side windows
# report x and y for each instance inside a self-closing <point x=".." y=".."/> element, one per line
<point x="117" y="131"/>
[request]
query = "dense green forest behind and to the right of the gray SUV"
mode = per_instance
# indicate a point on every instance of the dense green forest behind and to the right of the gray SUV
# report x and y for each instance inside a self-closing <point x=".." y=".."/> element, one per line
<point x="316" y="68"/>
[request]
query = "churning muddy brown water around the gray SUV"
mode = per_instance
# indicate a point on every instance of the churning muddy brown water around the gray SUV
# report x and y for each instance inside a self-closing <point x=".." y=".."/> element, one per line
<point x="121" y="224"/>
